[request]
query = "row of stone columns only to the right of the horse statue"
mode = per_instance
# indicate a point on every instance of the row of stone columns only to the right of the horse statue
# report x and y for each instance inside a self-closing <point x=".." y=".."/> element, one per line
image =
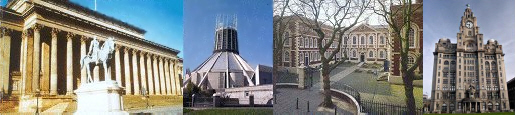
<point x="158" y="77"/>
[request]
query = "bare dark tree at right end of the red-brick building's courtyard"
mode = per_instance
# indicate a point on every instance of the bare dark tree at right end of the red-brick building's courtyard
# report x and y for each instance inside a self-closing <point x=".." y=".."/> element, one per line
<point x="399" y="14"/>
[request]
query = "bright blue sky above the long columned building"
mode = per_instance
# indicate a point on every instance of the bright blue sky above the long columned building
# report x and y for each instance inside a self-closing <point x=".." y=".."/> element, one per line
<point x="161" y="19"/>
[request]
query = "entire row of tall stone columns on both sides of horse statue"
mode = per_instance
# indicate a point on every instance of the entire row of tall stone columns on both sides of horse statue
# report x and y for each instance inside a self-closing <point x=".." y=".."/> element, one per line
<point x="158" y="75"/>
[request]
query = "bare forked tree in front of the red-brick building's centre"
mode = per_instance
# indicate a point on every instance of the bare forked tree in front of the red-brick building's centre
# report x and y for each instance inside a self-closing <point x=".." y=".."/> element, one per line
<point x="329" y="20"/>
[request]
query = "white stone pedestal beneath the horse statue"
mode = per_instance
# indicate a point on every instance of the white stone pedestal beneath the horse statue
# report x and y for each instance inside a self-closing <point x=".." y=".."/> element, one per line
<point x="99" y="98"/>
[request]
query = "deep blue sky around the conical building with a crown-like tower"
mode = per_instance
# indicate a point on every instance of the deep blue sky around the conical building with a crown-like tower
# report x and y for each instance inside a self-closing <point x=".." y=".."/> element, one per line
<point x="254" y="29"/>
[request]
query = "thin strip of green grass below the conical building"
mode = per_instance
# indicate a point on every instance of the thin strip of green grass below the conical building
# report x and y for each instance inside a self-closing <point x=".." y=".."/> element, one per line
<point x="246" y="111"/>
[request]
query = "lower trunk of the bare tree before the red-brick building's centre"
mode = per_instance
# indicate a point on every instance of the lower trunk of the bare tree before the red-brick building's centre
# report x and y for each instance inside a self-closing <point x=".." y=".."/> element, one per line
<point x="327" y="103"/>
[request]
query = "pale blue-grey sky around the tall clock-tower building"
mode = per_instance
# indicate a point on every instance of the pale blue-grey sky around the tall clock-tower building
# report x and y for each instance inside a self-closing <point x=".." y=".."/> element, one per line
<point x="495" y="18"/>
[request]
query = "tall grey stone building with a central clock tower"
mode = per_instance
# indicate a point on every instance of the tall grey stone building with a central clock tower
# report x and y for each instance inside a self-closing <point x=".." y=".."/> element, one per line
<point x="469" y="76"/>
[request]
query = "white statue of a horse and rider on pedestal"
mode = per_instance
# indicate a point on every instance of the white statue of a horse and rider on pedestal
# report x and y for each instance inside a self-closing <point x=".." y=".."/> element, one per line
<point x="98" y="55"/>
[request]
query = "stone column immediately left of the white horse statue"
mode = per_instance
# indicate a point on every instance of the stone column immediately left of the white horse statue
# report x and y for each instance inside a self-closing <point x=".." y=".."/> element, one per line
<point x="69" y="64"/>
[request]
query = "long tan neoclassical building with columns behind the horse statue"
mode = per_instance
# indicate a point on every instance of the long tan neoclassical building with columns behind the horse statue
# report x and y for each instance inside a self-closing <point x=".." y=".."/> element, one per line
<point x="42" y="42"/>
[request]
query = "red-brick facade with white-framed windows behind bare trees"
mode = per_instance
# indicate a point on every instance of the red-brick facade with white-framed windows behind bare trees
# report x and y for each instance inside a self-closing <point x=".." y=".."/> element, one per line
<point x="363" y="43"/>
